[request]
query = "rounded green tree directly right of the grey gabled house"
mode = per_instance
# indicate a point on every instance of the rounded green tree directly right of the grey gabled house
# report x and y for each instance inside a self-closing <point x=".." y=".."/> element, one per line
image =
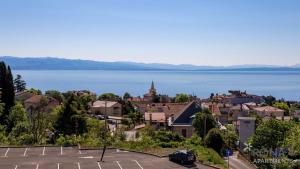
<point x="203" y="122"/>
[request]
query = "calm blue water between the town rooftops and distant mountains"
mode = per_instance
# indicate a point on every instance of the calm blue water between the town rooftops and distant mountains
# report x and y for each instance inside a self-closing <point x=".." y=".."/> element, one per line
<point x="281" y="84"/>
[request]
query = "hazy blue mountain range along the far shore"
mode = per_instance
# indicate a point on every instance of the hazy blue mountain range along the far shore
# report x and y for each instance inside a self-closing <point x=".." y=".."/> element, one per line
<point x="51" y="63"/>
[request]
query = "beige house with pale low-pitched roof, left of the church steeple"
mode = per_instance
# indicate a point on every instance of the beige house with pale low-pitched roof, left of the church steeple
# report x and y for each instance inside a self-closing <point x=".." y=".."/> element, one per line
<point x="108" y="108"/>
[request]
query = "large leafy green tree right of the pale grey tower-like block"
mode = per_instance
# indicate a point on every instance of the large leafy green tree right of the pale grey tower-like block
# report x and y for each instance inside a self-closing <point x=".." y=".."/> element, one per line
<point x="270" y="134"/>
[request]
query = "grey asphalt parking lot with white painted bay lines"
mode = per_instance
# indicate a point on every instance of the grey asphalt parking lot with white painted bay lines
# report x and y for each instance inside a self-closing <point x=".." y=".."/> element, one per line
<point x="73" y="158"/>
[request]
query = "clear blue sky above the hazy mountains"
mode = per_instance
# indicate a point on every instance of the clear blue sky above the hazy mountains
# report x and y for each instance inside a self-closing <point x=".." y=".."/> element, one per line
<point x="210" y="32"/>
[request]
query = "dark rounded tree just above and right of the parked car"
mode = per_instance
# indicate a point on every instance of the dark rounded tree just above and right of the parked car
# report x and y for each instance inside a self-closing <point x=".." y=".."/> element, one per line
<point x="214" y="140"/>
